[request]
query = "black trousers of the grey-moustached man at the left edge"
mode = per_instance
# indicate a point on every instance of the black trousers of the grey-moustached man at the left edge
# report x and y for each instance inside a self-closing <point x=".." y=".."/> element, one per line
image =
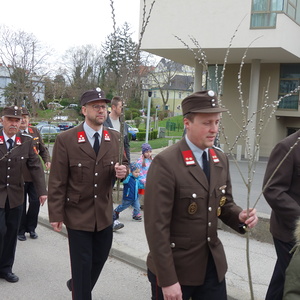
<point x="9" y="226"/>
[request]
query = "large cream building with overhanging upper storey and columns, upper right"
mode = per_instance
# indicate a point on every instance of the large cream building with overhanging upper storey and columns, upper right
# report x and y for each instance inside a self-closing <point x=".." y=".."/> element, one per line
<point x="250" y="53"/>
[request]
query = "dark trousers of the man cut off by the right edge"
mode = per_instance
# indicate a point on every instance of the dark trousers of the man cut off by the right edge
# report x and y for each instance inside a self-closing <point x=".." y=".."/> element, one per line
<point x="276" y="286"/>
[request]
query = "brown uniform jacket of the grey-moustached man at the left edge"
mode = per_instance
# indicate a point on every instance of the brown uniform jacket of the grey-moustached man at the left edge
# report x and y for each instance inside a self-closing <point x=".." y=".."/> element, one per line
<point x="11" y="168"/>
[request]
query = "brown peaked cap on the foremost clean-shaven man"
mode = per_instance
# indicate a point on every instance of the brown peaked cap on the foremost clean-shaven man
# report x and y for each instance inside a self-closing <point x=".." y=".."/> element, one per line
<point x="201" y="102"/>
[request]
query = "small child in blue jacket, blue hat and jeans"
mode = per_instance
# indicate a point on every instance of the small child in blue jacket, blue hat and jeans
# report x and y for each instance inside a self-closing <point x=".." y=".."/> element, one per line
<point x="130" y="193"/>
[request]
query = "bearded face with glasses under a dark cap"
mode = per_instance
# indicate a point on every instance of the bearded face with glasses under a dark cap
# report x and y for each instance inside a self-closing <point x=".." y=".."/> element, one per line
<point x="95" y="113"/>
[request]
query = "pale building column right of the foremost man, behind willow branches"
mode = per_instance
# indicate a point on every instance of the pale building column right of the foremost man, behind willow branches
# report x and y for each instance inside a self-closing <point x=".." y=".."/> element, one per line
<point x="253" y="104"/>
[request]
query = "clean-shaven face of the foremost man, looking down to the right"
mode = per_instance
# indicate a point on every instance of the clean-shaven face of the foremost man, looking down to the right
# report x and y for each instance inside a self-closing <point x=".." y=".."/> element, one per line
<point x="203" y="130"/>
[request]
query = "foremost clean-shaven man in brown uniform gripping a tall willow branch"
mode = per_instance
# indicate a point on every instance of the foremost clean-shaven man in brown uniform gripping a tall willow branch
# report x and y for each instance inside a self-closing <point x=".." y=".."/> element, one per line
<point x="188" y="189"/>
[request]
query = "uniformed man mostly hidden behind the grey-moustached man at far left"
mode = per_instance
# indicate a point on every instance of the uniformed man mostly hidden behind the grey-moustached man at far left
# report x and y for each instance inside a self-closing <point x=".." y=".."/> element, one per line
<point x="29" y="219"/>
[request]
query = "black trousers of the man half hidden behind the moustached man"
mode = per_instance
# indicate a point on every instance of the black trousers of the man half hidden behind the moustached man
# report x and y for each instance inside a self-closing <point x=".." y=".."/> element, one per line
<point x="29" y="219"/>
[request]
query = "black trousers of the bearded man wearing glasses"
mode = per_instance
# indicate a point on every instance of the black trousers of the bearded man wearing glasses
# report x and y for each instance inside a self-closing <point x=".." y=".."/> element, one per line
<point x="88" y="254"/>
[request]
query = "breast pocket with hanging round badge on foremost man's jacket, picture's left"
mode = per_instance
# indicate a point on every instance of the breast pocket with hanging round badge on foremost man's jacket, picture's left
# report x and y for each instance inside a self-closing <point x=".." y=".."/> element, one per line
<point x="192" y="201"/>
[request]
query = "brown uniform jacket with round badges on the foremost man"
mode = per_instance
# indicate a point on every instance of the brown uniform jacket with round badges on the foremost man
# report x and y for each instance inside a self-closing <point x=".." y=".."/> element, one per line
<point x="181" y="211"/>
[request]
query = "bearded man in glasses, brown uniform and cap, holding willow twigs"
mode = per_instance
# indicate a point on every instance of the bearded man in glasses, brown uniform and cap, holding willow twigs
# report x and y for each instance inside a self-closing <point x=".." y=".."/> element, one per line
<point x="80" y="191"/>
